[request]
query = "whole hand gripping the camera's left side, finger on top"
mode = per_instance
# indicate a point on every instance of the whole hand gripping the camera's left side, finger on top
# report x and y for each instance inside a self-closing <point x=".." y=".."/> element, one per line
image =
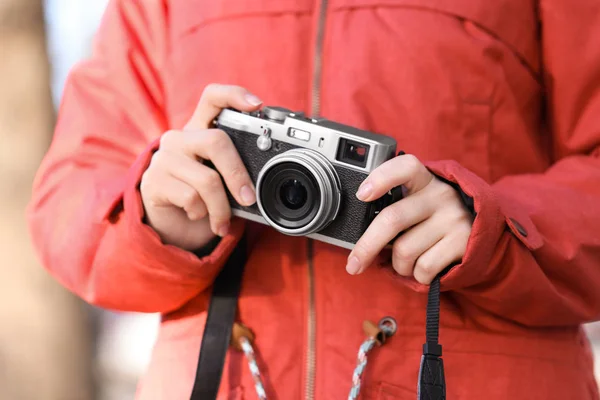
<point x="185" y="201"/>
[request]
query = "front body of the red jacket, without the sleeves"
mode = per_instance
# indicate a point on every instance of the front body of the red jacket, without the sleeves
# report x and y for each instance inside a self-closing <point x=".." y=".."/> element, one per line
<point x="448" y="79"/>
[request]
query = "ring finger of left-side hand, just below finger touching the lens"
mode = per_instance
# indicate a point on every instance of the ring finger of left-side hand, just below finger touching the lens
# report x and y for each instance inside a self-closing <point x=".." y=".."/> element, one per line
<point x="206" y="181"/>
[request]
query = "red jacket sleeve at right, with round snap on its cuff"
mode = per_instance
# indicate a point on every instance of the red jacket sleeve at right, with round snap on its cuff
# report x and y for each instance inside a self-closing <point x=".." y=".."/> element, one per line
<point x="534" y="253"/>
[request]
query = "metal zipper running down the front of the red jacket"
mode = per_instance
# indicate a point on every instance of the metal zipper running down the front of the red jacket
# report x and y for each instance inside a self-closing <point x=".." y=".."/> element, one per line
<point x="309" y="389"/>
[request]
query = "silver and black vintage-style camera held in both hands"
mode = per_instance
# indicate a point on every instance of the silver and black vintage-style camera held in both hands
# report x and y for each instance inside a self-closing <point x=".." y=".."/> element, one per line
<point x="307" y="172"/>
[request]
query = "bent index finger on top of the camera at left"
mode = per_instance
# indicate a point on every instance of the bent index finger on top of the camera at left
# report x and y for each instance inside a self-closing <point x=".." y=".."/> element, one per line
<point x="217" y="97"/>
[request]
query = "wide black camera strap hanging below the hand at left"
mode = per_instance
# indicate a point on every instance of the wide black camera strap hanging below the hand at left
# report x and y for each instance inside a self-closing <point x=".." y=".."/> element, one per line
<point x="219" y="324"/>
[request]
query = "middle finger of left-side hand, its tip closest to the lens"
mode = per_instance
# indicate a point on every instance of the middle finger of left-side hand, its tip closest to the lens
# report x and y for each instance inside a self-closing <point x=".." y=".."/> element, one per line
<point x="216" y="146"/>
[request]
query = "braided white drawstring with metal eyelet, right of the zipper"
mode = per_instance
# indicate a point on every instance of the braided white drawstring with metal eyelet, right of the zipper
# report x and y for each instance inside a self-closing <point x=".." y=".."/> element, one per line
<point x="376" y="335"/>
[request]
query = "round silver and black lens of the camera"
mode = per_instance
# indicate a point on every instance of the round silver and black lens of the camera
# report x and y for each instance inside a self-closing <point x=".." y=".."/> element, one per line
<point x="298" y="192"/>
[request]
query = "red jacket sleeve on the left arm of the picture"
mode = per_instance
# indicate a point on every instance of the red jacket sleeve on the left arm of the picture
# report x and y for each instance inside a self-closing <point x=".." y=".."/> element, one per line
<point x="86" y="214"/>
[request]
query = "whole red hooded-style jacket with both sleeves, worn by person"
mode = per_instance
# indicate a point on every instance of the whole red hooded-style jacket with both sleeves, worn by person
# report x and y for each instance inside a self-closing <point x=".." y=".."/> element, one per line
<point x="500" y="97"/>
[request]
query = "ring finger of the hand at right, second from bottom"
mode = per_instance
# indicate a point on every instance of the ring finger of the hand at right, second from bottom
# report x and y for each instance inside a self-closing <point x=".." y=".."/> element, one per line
<point x="416" y="241"/>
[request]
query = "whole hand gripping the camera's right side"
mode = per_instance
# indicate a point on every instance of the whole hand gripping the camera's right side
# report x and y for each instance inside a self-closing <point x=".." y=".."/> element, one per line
<point x="437" y="224"/>
